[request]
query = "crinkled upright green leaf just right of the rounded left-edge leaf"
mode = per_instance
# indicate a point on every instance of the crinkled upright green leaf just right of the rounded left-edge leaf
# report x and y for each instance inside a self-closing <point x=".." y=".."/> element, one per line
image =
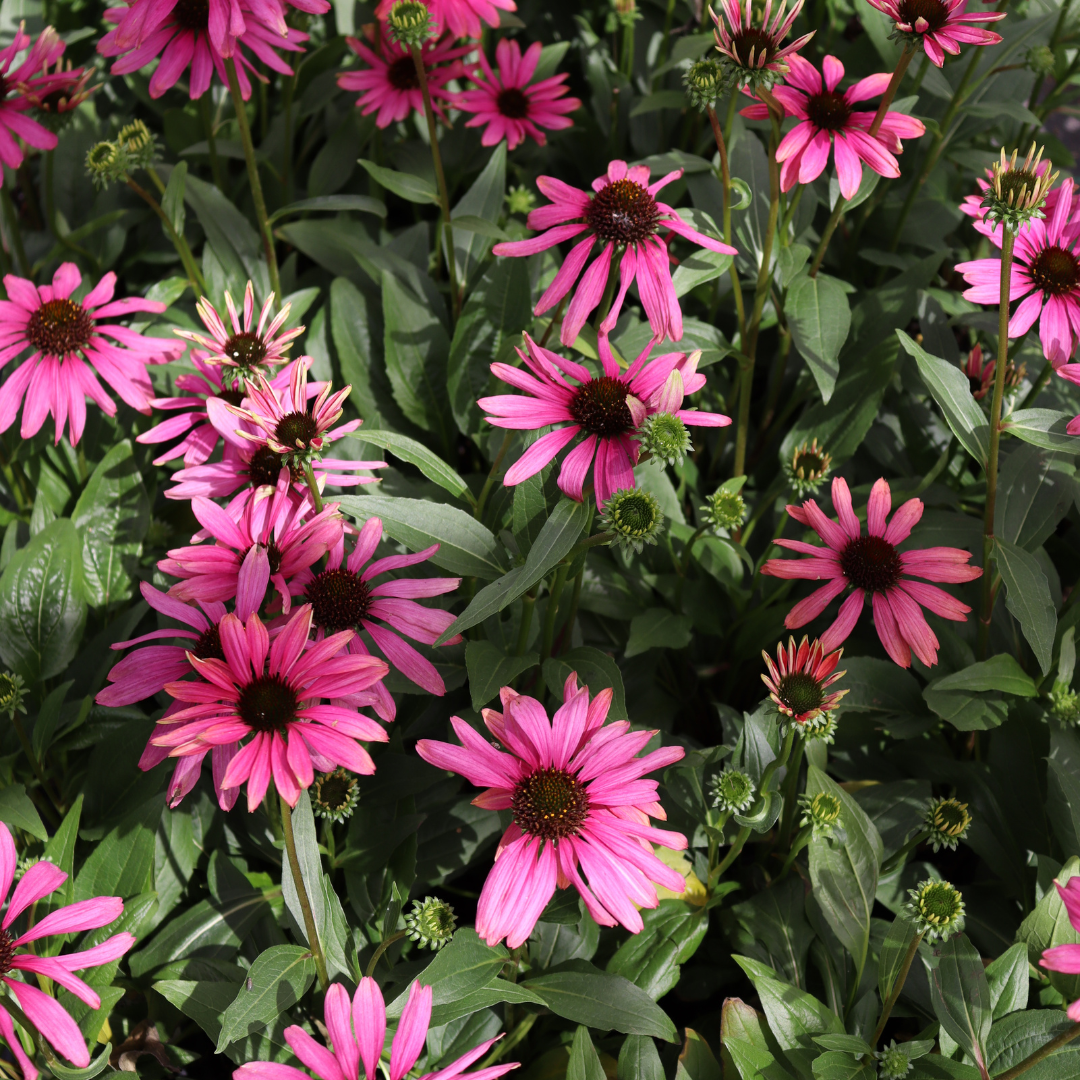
<point x="113" y="516"/>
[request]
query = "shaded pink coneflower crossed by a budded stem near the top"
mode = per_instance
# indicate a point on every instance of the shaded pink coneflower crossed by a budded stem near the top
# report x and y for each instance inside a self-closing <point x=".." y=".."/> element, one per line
<point x="389" y="86"/>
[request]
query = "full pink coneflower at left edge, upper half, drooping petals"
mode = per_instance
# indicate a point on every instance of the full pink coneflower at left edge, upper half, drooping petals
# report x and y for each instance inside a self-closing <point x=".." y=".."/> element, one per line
<point x="70" y="352"/>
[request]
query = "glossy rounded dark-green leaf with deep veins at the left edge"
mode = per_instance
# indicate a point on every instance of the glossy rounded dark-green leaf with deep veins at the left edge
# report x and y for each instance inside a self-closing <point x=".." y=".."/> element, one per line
<point x="43" y="603"/>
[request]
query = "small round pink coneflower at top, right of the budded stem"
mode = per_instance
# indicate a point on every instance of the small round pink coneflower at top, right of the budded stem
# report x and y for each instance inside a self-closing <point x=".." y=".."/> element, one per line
<point x="509" y="106"/>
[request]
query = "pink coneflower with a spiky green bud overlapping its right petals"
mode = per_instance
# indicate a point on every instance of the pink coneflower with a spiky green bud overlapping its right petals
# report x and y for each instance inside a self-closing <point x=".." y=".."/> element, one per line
<point x="607" y="410"/>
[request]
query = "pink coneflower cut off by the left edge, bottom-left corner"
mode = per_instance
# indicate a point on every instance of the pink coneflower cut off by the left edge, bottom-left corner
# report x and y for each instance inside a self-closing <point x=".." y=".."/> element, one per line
<point x="45" y="1012"/>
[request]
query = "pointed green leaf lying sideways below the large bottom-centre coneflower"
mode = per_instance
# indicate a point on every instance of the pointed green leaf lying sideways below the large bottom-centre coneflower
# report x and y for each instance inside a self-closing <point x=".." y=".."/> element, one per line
<point x="584" y="995"/>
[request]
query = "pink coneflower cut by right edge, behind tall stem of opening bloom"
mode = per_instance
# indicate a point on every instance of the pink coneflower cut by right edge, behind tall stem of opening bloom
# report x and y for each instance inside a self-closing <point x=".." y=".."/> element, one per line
<point x="1046" y="272"/>
